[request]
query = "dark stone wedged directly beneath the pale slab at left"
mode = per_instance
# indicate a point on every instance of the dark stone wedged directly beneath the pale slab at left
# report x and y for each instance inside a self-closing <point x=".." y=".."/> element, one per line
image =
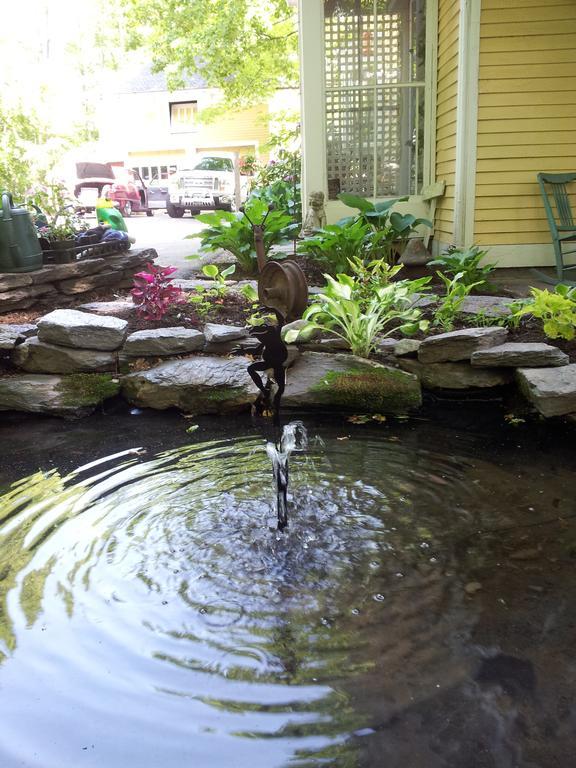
<point x="36" y="356"/>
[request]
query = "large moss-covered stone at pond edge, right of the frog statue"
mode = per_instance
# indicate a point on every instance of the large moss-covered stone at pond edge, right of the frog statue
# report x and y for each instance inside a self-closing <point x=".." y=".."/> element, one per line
<point x="341" y="381"/>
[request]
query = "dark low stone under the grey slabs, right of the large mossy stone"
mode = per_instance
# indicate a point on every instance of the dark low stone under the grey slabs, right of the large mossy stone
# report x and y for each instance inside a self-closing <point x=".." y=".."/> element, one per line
<point x="459" y="375"/>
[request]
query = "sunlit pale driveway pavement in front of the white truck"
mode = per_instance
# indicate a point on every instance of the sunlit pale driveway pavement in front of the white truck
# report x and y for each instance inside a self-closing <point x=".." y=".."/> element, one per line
<point x="167" y="236"/>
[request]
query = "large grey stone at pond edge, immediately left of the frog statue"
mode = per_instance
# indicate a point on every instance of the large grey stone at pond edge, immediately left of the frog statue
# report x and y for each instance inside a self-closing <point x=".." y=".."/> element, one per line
<point x="206" y="384"/>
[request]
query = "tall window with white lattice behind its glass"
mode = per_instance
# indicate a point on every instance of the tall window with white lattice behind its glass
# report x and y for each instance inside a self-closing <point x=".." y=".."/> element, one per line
<point x="375" y="53"/>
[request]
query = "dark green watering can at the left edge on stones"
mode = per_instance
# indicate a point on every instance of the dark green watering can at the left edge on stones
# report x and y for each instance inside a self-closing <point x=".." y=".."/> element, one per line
<point x="20" y="249"/>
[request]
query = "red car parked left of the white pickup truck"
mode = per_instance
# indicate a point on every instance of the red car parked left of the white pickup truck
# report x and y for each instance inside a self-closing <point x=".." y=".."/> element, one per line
<point x="123" y="185"/>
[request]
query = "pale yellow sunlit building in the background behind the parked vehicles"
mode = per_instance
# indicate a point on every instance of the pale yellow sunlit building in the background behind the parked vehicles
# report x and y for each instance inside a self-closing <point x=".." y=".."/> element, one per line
<point x="157" y="130"/>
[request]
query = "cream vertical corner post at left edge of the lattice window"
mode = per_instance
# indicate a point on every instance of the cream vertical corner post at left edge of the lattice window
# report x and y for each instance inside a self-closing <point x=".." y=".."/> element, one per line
<point x="312" y="98"/>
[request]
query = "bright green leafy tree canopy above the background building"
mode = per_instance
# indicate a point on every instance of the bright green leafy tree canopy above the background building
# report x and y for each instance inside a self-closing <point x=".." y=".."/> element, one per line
<point x="246" y="48"/>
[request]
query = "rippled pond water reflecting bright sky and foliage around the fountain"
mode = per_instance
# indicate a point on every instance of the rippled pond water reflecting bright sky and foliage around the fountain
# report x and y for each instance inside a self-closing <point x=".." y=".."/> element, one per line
<point x="152" y="615"/>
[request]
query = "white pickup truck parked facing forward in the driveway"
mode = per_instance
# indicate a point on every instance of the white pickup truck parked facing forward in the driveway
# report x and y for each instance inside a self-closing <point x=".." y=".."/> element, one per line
<point x="208" y="184"/>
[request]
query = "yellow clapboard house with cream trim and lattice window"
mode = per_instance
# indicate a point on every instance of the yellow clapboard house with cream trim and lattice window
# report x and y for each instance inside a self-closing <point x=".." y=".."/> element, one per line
<point x="480" y="94"/>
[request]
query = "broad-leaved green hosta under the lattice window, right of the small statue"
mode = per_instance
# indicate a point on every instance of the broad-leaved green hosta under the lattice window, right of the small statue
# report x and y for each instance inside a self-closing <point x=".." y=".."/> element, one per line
<point x="391" y="229"/>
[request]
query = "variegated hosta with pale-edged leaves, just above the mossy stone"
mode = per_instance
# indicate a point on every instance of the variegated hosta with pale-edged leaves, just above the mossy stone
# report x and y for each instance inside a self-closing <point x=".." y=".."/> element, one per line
<point x="345" y="310"/>
